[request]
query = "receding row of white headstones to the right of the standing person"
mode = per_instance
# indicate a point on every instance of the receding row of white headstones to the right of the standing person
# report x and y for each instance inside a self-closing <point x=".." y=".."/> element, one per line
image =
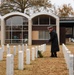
<point x="69" y="58"/>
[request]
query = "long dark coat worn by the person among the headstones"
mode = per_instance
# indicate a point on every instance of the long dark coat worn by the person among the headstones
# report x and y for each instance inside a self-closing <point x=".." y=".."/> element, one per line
<point x="54" y="41"/>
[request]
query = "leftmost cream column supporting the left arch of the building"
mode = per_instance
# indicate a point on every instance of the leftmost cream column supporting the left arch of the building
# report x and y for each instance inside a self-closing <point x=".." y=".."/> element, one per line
<point x="2" y="31"/>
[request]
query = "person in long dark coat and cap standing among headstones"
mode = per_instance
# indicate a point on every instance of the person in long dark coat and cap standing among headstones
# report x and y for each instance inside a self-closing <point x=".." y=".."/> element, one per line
<point x="54" y="41"/>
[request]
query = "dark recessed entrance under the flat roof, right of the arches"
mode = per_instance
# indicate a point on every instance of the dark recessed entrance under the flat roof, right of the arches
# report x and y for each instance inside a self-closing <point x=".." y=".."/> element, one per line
<point x="66" y="32"/>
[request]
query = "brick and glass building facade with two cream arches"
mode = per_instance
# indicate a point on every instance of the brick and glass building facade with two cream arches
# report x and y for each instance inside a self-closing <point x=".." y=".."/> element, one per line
<point x="20" y="28"/>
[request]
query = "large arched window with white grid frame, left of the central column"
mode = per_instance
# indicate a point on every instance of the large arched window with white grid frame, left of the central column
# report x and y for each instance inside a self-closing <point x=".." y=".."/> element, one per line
<point x="16" y="29"/>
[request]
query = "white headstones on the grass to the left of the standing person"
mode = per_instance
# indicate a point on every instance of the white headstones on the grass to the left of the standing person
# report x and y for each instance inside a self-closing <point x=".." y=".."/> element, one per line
<point x="21" y="50"/>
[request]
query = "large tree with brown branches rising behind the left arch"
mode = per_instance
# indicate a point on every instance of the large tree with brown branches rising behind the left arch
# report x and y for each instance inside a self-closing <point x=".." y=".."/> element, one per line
<point x="21" y="5"/>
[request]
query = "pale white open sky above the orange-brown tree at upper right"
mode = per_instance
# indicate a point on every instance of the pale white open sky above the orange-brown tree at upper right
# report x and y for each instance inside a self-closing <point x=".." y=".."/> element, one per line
<point x="61" y="2"/>
